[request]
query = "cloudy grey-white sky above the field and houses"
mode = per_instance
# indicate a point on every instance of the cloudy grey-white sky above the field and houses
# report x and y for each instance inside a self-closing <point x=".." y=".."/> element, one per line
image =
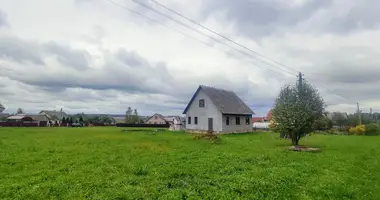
<point x="96" y="56"/>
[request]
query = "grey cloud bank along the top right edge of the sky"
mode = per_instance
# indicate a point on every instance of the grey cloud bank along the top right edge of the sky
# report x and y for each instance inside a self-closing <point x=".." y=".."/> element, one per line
<point x="257" y="18"/>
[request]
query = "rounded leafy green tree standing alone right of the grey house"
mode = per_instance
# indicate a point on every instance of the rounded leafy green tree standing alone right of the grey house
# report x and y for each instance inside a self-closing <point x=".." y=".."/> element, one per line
<point x="296" y="109"/>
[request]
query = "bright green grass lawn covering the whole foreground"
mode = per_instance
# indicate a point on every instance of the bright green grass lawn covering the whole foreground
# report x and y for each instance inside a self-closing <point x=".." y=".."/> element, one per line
<point x="106" y="163"/>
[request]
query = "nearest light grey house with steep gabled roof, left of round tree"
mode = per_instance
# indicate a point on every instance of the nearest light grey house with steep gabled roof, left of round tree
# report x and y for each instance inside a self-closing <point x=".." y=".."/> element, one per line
<point x="217" y="110"/>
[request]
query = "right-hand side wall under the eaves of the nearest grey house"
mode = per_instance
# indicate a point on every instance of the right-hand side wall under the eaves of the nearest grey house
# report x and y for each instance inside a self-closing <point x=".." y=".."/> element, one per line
<point x="235" y="128"/>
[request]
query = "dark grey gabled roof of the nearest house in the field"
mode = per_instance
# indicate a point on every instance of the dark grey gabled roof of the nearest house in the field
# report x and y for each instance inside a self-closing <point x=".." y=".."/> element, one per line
<point x="226" y="101"/>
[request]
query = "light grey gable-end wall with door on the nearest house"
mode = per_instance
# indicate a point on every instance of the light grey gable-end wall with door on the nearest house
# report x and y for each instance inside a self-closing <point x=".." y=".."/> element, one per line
<point x="203" y="113"/>
